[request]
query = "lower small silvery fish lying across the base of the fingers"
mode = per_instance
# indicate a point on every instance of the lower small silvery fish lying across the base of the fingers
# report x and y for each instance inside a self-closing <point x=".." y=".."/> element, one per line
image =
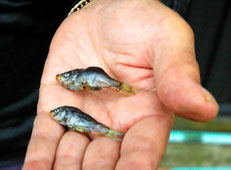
<point x="76" y="119"/>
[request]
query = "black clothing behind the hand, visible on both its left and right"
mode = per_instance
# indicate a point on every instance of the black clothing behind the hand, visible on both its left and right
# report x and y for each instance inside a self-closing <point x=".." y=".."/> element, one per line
<point x="26" y="29"/>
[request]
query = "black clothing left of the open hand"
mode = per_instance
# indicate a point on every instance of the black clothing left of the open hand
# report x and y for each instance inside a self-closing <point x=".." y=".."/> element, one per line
<point x="26" y="29"/>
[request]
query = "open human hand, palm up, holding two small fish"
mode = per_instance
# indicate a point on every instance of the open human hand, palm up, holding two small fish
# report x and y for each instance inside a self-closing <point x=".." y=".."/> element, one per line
<point x="142" y="43"/>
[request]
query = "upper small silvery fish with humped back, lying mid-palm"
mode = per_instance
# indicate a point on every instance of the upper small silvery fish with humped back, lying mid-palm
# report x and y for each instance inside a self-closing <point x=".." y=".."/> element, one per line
<point x="92" y="78"/>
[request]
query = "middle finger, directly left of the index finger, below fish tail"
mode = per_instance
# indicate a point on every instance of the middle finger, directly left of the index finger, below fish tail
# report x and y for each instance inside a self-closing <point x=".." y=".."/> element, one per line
<point x="102" y="153"/>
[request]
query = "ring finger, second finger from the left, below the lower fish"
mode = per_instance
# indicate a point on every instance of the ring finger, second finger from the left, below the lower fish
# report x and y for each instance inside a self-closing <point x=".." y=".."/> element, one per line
<point x="70" y="151"/>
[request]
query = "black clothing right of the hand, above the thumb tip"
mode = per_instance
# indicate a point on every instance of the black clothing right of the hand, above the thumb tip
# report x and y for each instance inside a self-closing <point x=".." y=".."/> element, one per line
<point x="211" y="23"/>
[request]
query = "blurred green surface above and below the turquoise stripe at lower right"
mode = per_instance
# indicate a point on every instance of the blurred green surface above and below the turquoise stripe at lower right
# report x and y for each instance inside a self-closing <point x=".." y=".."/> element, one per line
<point x="196" y="154"/>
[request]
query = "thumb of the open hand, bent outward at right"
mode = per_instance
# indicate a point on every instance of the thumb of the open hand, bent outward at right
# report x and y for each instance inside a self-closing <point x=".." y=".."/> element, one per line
<point x="177" y="72"/>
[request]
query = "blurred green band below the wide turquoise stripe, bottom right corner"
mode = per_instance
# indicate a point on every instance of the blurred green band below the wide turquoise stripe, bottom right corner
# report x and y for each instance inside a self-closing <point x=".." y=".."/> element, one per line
<point x="196" y="155"/>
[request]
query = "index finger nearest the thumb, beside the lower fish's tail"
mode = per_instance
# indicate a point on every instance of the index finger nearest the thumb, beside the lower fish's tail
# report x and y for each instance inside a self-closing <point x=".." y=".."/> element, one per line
<point x="144" y="144"/>
